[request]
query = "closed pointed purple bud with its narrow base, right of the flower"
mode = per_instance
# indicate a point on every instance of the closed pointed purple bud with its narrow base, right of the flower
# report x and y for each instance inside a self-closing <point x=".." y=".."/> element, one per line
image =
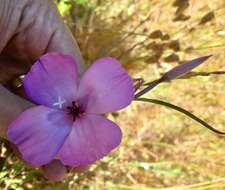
<point x="174" y="73"/>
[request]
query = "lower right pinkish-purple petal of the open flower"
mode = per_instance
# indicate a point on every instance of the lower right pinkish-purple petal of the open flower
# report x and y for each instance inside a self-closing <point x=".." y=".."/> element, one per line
<point x="91" y="138"/>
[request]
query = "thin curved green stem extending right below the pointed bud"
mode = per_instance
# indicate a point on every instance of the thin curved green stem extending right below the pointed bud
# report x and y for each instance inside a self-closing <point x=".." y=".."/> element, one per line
<point x="185" y="112"/>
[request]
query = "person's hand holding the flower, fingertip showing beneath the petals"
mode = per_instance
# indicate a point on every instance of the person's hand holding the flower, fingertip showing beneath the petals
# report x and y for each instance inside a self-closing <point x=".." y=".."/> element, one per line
<point x="29" y="29"/>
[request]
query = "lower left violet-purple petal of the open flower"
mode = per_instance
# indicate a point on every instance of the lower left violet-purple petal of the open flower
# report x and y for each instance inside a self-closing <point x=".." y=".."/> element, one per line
<point x="39" y="133"/>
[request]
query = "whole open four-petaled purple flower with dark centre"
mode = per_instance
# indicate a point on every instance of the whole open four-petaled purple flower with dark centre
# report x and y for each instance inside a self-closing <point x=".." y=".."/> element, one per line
<point x="68" y="122"/>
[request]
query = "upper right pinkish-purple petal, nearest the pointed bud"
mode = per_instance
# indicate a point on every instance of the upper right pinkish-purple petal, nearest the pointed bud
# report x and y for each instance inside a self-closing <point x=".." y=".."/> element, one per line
<point x="105" y="87"/>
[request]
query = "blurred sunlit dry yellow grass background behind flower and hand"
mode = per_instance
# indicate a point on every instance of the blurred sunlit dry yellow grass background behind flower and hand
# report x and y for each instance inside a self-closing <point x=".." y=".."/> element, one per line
<point x="161" y="149"/>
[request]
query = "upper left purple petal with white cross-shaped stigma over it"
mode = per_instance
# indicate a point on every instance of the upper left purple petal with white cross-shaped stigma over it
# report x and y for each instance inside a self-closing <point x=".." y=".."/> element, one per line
<point x="52" y="80"/>
